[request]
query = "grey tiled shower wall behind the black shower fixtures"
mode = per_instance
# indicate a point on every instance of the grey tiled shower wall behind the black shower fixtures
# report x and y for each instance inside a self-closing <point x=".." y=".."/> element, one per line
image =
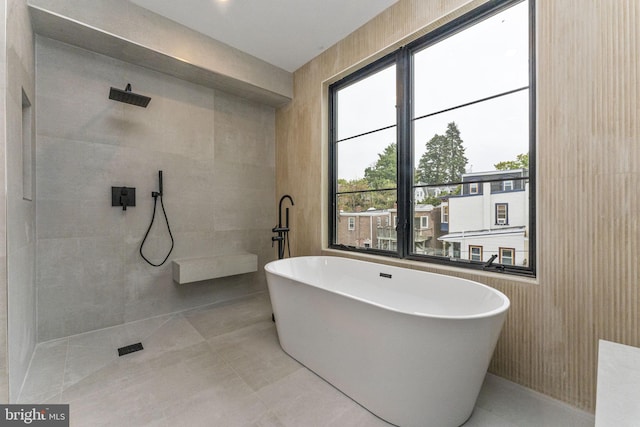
<point x="217" y="154"/>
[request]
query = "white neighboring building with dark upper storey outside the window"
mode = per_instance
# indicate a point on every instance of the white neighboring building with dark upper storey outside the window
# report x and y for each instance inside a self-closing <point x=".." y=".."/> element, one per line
<point x="490" y="216"/>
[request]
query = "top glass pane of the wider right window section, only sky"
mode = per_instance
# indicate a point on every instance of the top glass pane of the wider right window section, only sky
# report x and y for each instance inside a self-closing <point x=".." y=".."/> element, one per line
<point x="465" y="66"/>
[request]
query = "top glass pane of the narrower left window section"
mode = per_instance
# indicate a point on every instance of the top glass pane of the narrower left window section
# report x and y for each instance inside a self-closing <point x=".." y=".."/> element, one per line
<point x="367" y="105"/>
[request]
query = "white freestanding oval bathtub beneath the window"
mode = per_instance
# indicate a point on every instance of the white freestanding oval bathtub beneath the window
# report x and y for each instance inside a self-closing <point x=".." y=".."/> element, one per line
<point x="411" y="347"/>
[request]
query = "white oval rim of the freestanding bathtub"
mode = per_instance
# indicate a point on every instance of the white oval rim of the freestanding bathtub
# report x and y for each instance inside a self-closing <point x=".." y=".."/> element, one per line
<point x="501" y="310"/>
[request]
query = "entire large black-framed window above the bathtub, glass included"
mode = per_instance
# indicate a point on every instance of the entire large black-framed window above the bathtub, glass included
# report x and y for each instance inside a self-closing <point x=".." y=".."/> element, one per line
<point x="446" y="117"/>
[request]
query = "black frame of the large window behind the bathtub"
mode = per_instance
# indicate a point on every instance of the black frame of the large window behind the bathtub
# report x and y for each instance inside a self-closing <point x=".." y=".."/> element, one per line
<point x="402" y="59"/>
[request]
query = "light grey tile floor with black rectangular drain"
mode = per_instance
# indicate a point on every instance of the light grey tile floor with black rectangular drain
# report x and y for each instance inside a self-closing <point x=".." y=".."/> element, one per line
<point x="221" y="365"/>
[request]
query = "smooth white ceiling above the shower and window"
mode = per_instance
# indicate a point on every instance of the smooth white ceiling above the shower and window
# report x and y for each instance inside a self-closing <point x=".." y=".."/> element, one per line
<point x="285" y="33"/>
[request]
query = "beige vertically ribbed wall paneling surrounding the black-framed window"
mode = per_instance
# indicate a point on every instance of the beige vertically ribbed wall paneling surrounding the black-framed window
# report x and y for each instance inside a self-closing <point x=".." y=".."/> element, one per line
<point x="588" y="183"/>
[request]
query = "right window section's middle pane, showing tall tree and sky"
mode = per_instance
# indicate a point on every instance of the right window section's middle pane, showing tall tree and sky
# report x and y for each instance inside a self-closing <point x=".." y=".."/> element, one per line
<point x="473" y="138"/>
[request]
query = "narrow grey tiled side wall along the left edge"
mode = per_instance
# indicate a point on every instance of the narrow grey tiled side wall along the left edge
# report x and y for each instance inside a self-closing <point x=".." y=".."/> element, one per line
<point x="19" y="212"/>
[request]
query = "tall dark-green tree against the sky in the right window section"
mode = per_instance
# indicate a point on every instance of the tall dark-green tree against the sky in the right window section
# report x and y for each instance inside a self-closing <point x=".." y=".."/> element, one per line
<point x="444" y="160"/>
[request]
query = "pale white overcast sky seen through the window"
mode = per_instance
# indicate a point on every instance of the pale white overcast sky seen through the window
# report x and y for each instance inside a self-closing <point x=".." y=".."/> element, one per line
<point x="455" y="71"/>
